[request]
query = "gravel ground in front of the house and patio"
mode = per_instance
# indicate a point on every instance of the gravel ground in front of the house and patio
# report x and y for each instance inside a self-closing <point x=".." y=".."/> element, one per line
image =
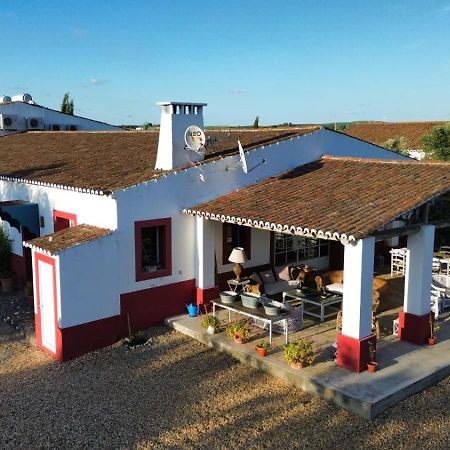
<point x="175" y="393"/>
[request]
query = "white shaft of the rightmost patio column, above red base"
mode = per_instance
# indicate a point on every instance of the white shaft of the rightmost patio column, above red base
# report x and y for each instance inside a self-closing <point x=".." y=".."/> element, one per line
<point x="419" y="263"/>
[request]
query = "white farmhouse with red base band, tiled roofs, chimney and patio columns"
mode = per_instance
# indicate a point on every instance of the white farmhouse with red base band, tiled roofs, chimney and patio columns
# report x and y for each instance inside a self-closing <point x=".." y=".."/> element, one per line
<point x="129" y="227"/>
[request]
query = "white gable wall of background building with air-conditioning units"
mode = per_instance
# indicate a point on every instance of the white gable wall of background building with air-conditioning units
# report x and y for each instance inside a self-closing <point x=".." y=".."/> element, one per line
<point x="50" y="117"/>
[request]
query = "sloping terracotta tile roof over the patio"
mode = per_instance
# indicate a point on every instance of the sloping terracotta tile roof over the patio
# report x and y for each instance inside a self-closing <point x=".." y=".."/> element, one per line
<point x="340" y="198"/>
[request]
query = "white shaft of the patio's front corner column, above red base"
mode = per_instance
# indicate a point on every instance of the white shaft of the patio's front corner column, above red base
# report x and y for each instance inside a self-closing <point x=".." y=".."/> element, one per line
<point x="358" y="288"/>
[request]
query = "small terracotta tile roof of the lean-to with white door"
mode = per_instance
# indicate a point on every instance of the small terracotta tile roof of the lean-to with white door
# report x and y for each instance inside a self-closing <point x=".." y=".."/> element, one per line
<point x="64" y="239"/>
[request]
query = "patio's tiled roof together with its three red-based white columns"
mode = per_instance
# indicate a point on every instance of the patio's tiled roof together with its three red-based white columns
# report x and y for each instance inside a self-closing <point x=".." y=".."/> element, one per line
<point x="353" y="202"/>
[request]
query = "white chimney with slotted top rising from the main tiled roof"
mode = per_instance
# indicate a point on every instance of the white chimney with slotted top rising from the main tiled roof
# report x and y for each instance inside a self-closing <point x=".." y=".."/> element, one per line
<point x="176" y="117"/>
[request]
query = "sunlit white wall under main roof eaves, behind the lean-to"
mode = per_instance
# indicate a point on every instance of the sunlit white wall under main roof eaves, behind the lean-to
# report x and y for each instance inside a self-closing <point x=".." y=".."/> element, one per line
<point x="98" y="210"/>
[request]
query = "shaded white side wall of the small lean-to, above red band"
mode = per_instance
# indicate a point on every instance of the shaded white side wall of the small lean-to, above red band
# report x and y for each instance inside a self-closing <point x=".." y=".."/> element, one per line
<point x="89" y="284"/>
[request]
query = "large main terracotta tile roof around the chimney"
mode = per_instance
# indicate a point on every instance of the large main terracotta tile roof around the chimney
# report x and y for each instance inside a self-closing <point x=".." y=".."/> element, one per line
<point x="107" y="161"/>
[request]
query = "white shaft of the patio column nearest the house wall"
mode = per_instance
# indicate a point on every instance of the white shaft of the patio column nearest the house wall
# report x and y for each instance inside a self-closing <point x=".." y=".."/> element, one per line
<point x="204" y="256"/>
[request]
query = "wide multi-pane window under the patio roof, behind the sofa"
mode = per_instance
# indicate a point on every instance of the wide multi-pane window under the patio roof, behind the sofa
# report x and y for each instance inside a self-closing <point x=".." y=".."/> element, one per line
<point x="292" y="249"/>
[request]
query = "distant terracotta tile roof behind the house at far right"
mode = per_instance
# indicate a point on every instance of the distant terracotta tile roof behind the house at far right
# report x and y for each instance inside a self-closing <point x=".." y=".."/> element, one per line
<point x="379" y="132"/>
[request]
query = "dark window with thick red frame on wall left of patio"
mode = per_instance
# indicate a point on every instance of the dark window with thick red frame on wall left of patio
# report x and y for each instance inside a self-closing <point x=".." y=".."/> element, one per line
<point x="153" y="249"/>
